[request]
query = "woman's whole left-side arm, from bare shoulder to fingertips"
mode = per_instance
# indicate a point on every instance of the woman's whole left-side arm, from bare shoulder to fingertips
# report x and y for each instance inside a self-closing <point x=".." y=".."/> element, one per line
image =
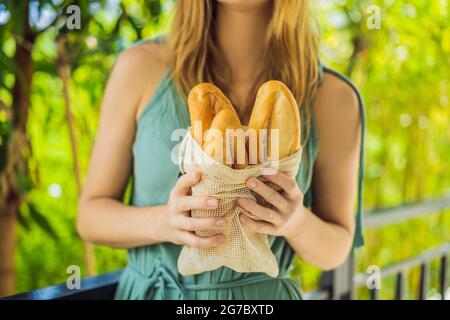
<point x="102" y="218"/>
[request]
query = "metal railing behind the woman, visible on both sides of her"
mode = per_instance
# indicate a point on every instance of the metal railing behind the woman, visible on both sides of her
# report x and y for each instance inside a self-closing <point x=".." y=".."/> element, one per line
<point x="337" y="284"/>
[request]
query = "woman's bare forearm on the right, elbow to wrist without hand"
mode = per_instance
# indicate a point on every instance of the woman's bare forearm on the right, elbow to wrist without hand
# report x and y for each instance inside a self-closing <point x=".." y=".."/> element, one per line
<point x="320" y="243"/>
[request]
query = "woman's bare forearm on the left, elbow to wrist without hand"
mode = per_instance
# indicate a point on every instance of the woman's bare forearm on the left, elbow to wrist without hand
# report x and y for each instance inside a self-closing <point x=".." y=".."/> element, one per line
<point x="109" y="222"/>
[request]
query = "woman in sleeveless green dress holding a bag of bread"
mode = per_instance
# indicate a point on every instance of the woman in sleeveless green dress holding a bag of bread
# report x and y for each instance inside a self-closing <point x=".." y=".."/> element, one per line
<point x="238" y="45"/>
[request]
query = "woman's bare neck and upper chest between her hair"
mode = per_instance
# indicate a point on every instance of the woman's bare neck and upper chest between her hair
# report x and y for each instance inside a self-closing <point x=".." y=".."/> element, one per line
<point x="240" y="35"/>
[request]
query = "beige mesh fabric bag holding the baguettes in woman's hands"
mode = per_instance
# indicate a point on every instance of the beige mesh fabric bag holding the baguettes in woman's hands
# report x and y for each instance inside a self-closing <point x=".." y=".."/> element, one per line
<point x="243" y="251"/>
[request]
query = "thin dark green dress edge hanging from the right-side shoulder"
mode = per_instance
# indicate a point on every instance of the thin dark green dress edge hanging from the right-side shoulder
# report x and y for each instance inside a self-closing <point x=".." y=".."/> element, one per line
<point x="358" y="240"/>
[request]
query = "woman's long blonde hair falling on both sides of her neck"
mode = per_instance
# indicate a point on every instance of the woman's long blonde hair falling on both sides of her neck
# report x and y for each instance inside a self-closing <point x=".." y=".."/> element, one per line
<point x="292" y="49"/>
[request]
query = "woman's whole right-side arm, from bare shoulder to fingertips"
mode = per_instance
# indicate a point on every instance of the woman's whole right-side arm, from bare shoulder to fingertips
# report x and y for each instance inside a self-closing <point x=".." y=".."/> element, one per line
<point x="324" y="238"/>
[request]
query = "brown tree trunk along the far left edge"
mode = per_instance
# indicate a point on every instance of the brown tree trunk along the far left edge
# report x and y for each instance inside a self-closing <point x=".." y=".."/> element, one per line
<point x="11" y="193"/>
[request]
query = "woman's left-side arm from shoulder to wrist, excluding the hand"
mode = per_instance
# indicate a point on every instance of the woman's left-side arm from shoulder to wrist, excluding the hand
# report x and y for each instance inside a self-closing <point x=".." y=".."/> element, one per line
<point x="102" y="218"/>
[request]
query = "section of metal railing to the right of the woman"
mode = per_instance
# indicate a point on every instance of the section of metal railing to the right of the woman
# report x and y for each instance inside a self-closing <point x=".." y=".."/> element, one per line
<point x="342" y="282"/>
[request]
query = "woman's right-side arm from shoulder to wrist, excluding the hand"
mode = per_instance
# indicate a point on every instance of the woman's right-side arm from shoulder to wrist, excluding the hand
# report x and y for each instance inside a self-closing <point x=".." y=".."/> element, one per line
<point x="328" y="233"/>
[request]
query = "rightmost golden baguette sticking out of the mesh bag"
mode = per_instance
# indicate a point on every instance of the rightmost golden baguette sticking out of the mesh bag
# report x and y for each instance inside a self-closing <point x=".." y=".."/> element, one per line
<point x="275" y="108"/>
